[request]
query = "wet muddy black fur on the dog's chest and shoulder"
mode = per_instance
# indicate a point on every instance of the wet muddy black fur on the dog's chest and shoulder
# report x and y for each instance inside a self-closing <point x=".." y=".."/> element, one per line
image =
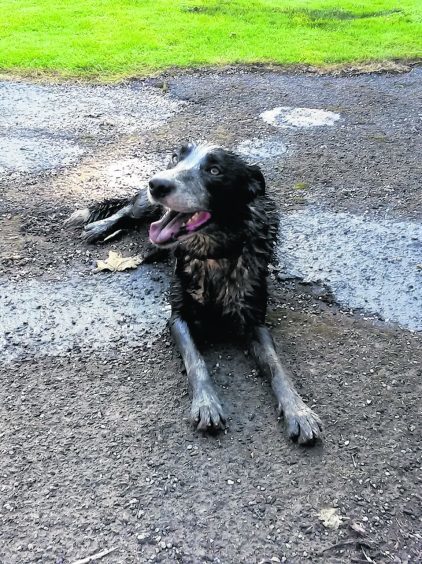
<point x="224" y="274"/>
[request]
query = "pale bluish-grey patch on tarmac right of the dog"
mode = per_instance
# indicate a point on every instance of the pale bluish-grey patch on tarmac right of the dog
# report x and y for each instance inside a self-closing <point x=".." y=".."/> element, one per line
<point x="369" y="264"/>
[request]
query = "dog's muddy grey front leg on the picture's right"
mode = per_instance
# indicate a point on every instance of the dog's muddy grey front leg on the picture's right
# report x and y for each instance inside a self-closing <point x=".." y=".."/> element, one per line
<point x="303" y="424"/>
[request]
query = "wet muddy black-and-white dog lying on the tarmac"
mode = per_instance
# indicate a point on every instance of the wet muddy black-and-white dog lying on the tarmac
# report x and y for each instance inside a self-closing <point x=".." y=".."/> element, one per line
<point x="222" y="227"/>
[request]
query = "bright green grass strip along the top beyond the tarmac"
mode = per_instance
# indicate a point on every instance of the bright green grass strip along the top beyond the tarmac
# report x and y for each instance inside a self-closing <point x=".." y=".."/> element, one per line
<point x="118" y="38"/>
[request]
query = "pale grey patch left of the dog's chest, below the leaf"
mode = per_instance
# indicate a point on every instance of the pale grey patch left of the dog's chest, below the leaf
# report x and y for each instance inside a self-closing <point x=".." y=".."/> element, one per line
<point x="51" y="318"/>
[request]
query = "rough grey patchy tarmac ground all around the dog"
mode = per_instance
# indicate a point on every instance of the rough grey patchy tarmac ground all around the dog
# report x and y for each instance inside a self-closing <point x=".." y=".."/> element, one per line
<point x="97" y="452"/>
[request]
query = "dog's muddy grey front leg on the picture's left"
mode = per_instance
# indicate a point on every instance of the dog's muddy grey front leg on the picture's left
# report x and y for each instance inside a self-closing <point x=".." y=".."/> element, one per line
<point x="207" y="412"/>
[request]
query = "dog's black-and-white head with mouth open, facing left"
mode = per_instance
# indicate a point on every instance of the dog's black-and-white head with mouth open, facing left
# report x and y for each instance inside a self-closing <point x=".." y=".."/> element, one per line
<point x="203" y="188"/>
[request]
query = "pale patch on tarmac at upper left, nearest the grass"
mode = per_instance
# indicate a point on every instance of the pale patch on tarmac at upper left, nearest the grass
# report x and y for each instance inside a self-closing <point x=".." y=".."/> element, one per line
<point x="83" y="108"/>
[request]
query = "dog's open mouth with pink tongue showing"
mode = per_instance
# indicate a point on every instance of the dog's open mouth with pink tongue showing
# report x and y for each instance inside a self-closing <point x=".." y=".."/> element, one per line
<point x="173" y="225"/>
